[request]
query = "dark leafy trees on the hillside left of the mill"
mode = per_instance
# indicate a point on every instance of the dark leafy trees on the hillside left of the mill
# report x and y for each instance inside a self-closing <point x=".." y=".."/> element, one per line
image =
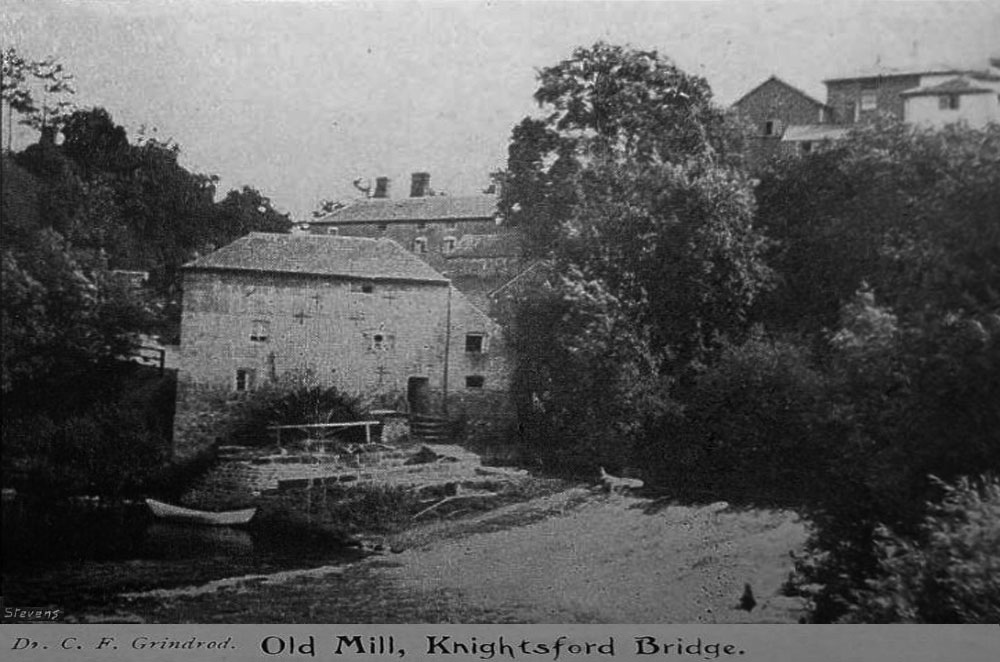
<point x="76" y="211"/>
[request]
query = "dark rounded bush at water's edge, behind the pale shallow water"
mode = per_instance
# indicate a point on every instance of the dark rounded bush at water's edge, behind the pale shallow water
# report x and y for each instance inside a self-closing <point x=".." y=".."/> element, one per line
<point x="757" y="420"/>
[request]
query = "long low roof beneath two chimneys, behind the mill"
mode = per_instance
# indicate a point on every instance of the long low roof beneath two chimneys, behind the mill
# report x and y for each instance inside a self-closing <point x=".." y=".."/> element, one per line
<point x="424" y="209"/>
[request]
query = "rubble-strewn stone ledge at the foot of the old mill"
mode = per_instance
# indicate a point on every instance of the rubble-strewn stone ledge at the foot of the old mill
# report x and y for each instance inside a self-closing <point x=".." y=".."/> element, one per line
<point x="245" y="475"/>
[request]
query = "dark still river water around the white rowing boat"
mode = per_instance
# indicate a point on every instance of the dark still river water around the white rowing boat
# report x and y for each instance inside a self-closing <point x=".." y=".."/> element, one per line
<point x="70" y="556"/>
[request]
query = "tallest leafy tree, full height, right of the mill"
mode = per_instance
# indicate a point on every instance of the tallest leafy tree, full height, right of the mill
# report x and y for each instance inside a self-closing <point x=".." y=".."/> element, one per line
<point x="627" y="186"/>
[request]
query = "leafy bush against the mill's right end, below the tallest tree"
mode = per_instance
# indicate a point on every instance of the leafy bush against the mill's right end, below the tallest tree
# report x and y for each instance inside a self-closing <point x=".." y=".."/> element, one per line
<point x="587" y="387"/>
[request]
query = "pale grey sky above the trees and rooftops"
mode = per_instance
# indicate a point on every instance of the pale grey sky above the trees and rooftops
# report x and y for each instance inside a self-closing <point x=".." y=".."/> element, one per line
<point x="298" y="99"/>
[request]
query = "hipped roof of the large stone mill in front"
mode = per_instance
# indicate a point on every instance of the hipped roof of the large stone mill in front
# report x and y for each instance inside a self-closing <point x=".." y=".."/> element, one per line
<point x="320" y="255"/>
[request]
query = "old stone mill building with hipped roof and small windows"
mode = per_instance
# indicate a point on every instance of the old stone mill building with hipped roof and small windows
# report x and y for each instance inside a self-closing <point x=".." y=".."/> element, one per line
<point x="361" y="314"/>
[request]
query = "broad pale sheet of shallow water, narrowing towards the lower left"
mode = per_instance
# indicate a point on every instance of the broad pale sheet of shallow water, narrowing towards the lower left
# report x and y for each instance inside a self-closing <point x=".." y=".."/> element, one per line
<point x="575" y="556"/>
